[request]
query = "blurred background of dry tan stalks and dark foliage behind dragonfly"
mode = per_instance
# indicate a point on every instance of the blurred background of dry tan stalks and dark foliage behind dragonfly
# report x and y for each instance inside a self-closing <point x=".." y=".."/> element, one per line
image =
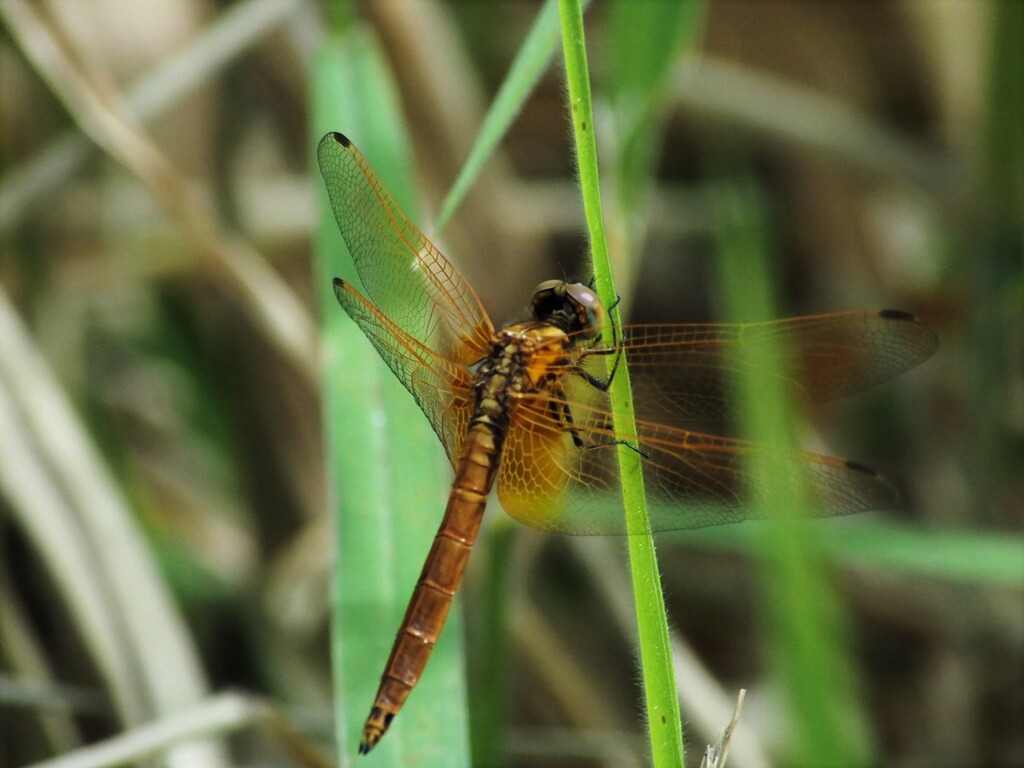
<point x="164" y="527"/>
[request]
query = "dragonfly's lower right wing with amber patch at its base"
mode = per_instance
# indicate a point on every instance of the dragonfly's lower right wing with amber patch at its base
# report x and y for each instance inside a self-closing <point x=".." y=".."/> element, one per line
<point x="693" y="480"/>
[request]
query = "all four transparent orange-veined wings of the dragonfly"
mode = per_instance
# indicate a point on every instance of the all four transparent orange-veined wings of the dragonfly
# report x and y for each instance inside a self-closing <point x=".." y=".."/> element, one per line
<point x="430" y="327"/>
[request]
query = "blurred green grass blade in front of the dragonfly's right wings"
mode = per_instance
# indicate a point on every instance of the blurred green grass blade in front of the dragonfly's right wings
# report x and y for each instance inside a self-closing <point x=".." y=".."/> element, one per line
<point x="808" y="659"/>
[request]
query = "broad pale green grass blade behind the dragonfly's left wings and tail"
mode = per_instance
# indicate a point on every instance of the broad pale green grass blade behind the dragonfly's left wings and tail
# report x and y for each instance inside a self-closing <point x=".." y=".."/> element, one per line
<point x="386" y="465"/>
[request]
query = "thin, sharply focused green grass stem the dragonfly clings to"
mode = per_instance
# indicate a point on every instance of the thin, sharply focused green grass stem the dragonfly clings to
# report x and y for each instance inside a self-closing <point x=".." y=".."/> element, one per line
<point x="665" y="727"/>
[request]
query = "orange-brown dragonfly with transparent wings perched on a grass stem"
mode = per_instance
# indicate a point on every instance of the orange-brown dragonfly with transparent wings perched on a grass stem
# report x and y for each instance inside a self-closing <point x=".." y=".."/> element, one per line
<point x="527" y="407"/>
